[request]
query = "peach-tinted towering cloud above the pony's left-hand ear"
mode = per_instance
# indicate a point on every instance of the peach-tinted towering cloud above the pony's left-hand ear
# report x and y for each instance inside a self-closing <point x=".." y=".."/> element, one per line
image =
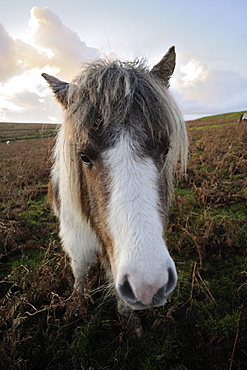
<point x="55" y="45"/>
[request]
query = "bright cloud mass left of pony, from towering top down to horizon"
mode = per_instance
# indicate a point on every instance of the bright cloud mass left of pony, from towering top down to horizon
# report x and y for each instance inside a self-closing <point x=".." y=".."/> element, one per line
<point x="52" y="48"/>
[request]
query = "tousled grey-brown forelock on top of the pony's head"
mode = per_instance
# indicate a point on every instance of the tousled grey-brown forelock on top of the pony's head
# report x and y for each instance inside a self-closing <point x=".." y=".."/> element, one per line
<point x="115" y="90"/>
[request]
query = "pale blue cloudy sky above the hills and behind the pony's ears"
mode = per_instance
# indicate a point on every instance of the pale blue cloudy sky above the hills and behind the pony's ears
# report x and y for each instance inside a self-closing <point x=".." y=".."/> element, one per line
<point x="57" y="37"/>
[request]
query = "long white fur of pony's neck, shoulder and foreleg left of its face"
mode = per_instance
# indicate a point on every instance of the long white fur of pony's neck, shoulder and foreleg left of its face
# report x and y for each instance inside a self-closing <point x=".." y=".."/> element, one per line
<point x="79" y="240"/>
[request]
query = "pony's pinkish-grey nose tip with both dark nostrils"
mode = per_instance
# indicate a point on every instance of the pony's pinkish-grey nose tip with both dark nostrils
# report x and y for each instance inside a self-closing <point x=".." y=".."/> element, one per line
<point x="147" y="295"/>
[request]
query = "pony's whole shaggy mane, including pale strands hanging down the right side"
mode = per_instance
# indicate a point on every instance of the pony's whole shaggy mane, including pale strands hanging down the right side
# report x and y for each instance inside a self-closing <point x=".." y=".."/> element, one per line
<point x="126" y="93"/>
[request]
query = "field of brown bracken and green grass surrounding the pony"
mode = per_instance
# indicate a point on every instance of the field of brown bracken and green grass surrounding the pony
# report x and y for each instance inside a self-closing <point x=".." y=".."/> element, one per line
<point x="45" y="325"/>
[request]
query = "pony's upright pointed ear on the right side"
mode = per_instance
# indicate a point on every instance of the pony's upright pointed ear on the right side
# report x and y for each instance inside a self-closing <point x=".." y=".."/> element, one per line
<point x="165" y="68"/>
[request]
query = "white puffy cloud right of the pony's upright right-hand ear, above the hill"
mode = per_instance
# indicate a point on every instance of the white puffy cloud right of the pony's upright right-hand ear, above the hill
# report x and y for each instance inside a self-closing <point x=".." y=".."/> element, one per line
<point x="202" y="90"/>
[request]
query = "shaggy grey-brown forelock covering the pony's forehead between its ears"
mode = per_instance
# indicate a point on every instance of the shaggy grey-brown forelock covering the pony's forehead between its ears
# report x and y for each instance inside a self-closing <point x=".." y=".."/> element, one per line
<point x="110" y="98"/>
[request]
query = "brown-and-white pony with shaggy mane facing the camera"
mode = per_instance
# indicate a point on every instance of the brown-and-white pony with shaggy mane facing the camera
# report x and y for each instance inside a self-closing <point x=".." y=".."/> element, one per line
<point x="111" y="183"/>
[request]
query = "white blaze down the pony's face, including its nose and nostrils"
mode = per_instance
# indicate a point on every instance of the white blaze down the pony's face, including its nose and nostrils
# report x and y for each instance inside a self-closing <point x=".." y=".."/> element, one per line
<point x="143" y="271"/>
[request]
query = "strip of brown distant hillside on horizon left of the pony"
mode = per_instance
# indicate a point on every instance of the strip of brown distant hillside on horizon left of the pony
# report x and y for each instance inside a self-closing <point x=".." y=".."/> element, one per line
<point x="21" y="131"/>
